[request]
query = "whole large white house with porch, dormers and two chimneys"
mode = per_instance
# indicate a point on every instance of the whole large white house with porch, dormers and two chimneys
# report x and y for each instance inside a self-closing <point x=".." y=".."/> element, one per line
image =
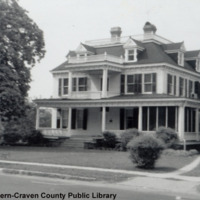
<point x="121" y="83"/>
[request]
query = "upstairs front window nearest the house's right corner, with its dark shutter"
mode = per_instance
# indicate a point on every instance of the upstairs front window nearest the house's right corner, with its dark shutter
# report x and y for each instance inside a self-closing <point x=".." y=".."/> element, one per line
<point x="150" y="82"/>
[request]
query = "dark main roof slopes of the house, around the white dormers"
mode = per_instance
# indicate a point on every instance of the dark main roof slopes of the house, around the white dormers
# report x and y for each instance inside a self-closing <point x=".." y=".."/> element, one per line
<point x="152" y="53"/>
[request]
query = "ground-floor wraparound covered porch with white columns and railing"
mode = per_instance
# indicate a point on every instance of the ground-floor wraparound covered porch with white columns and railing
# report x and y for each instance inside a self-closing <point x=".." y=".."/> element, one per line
<point x="90" y="118"/>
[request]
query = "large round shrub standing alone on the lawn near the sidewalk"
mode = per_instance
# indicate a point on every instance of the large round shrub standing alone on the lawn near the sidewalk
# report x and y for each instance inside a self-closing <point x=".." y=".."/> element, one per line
<point x="145" y="150"/>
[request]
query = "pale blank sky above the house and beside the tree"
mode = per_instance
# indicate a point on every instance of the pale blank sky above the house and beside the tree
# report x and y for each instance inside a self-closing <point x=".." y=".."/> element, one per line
<point x="66" y="23"/>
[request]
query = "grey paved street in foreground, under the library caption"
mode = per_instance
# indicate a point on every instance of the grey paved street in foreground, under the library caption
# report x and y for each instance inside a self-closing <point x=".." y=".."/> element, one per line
<point x="28" y="187"/>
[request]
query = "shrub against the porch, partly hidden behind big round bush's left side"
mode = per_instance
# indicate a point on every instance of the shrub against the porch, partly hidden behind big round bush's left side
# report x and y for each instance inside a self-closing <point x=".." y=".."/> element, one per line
<point x="127" y="136"/>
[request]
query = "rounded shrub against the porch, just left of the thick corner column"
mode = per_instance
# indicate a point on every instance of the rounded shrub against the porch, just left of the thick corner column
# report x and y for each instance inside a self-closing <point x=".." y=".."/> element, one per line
<point x="168" y="136"/>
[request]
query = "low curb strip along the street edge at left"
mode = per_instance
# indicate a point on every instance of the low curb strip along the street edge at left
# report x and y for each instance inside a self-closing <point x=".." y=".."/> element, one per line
<point x="44" y="174"/>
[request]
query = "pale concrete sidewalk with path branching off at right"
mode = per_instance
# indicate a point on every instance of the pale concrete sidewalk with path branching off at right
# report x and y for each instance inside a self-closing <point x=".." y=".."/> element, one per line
<point x="173" y="175"/>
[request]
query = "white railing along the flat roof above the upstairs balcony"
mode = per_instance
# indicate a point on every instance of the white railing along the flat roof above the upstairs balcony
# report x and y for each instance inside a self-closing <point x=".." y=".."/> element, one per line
<point x="96" y="58"/>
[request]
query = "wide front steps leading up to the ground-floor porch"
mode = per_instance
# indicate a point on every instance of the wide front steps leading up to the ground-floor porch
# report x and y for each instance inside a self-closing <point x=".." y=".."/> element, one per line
<point x="76" y="142"/>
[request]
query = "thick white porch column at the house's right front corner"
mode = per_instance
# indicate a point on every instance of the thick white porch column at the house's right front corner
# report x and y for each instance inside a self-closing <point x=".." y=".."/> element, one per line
<point x="181" y="117"/>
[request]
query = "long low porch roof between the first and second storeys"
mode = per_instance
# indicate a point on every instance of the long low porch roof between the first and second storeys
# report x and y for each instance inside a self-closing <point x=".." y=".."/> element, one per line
<point x="122" y="100"/>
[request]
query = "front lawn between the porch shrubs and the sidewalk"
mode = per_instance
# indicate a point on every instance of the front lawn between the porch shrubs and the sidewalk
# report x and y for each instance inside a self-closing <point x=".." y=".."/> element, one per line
<point x="88" y="158"/>
